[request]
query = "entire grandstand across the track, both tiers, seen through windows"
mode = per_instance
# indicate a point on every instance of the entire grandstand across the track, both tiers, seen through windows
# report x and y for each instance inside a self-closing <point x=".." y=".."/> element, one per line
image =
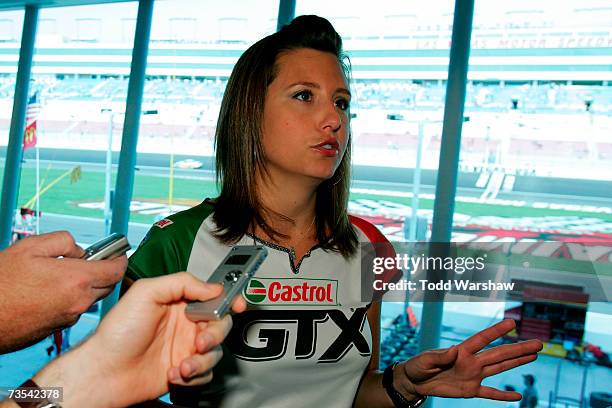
<point x="537" y="81"/>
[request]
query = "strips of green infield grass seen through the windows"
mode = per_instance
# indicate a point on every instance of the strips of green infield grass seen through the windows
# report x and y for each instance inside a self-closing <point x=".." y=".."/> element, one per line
<point x="64" y="197"/>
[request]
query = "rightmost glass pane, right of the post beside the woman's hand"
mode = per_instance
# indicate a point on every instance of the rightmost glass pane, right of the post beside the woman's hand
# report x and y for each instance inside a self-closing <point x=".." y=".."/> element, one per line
<point x="535" y="171"/>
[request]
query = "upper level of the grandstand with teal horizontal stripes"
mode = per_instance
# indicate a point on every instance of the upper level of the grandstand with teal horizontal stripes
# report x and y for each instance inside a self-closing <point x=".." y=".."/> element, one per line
<point x="514" y="41"/>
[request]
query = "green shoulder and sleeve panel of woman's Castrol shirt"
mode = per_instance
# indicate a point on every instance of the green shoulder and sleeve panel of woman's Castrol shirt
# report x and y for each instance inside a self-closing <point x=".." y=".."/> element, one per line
<point x="166" y="248"/>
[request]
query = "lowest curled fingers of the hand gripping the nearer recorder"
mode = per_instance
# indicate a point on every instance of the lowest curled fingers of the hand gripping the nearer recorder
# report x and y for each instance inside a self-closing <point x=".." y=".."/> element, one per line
<point x="196" y="369"/>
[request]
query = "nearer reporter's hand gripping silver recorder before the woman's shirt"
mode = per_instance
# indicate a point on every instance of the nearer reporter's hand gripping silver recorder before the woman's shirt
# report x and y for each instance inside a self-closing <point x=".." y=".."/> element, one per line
<point x="144" y="344"/>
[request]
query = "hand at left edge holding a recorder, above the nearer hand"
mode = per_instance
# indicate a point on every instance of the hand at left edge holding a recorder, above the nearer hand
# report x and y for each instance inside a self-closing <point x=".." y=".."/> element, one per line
<point x="41" y="293"/>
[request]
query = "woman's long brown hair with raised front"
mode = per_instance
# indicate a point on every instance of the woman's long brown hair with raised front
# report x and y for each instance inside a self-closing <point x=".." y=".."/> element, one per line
<point x="239" y="149"/>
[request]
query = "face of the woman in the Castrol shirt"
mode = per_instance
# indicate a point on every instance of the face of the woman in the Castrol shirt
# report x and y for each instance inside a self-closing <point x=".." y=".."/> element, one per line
<point x="306" y="117"/>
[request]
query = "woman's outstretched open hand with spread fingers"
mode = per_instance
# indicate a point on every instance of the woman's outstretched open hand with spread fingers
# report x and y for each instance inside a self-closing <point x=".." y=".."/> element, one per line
<point x="457" y="372"/>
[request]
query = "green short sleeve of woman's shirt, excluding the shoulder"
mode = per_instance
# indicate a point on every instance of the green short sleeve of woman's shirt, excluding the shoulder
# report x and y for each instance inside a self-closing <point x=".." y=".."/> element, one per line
<point x="158" y="254"/>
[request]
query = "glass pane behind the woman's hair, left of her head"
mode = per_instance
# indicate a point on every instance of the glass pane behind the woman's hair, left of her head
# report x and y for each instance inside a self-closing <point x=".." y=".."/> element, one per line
<point x="191" y="55"/>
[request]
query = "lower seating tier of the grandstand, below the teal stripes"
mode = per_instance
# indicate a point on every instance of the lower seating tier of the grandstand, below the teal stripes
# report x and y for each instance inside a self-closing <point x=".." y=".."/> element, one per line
<point x="539" y="137"/>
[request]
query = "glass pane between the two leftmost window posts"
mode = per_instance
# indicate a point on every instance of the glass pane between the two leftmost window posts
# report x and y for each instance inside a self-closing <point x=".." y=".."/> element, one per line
<point x="80" y="64"/>
